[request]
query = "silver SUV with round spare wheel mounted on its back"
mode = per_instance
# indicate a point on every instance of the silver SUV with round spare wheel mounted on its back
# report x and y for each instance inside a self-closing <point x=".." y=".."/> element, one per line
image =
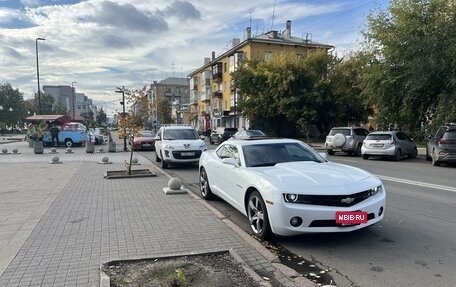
<point x="345" y="139"/>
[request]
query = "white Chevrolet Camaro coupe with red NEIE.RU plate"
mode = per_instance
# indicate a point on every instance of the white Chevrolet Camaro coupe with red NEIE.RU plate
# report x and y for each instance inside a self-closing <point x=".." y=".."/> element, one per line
<point x="285" y="187"/>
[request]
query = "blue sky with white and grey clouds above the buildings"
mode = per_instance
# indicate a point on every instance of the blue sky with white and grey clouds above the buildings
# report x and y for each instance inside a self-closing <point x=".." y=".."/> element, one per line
<point x="102" y="44"/>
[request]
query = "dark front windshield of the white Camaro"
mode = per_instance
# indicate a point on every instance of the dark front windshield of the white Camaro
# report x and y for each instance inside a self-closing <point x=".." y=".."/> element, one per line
<point x="271" y="154"/>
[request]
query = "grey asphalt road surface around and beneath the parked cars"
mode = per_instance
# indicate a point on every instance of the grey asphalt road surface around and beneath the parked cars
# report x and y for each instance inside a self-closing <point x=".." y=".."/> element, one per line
<point x="415" y="245"/>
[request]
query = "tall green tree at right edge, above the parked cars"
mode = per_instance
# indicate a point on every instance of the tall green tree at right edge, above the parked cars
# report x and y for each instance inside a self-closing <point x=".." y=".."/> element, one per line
<point x="411" y="73"/>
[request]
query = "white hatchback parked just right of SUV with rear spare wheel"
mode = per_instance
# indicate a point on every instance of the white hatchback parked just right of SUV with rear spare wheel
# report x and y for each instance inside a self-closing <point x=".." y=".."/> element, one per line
<point x="392" y="144"/>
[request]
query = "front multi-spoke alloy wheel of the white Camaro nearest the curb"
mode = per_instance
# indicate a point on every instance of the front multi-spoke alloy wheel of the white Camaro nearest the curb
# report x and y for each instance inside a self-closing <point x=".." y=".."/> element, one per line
<point x="258" y="215"/>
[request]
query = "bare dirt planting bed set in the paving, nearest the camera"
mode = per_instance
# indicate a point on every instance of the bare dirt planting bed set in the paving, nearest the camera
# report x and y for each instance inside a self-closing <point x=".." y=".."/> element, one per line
<point x="209" y="270"/>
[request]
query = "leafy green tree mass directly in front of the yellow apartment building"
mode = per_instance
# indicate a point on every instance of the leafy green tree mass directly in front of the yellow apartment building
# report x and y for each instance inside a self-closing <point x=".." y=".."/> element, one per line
<point x="285" y="95"/>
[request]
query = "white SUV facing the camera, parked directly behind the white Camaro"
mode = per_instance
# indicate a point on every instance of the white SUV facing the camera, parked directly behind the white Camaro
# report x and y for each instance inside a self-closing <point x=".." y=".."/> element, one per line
<point x="178" y="144"/>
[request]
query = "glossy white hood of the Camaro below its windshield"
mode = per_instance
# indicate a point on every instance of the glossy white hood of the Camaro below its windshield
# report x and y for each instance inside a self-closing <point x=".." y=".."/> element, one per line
<point x="317" y="177"/>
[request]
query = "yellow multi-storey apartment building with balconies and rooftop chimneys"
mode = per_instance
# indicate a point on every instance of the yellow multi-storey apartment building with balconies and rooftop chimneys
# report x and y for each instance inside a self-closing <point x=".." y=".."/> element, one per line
<point x="213" y="96"/>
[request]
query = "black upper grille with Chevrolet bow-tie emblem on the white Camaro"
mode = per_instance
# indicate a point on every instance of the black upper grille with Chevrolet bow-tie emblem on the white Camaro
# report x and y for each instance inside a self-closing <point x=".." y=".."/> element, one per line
<point x="334" y="200"/>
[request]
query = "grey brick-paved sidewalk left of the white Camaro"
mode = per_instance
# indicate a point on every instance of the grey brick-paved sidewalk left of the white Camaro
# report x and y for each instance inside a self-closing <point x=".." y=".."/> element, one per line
<point x="60" y="222"/>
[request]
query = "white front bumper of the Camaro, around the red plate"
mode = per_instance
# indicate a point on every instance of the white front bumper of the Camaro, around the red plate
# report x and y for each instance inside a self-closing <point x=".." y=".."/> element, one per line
<point x="322" y="219"/>
